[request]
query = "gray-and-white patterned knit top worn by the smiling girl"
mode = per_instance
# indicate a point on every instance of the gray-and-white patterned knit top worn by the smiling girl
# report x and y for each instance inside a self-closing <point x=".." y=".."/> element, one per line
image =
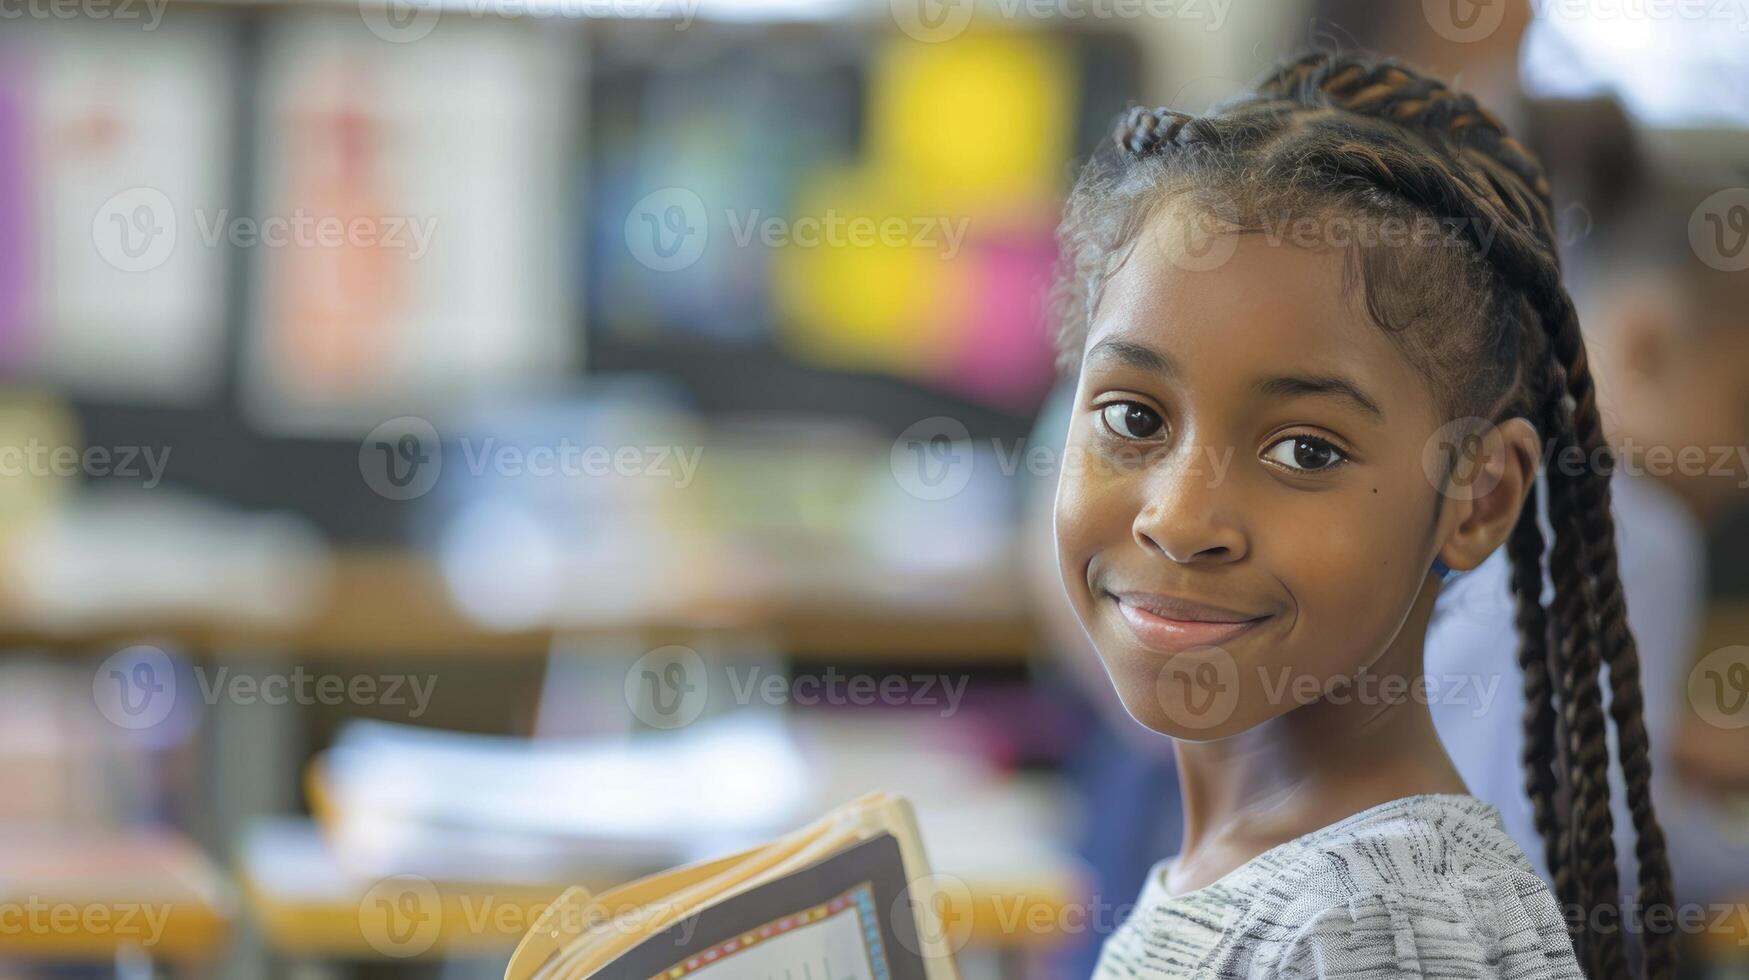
<point x="1423" y="886"/>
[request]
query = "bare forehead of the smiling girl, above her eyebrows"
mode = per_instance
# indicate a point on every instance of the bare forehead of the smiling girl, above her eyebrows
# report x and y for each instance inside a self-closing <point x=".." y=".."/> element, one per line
<point x="1269" y="309"/>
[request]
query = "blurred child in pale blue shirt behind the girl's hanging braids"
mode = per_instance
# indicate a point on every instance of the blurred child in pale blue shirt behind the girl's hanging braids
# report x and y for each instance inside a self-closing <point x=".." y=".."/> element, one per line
<point x="1669" y="340"/>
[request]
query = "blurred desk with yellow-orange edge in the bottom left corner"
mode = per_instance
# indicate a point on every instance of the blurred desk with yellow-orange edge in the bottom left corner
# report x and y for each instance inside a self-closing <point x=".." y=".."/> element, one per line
<point x="97" y="897"/>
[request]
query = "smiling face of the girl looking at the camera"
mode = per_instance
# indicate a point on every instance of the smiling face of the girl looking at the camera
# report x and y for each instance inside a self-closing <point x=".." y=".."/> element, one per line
<point x="1244" y="515"/>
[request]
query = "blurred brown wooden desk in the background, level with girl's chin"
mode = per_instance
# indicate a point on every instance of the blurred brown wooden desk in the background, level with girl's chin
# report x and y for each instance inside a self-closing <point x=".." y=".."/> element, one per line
<point x="396" y="603"/>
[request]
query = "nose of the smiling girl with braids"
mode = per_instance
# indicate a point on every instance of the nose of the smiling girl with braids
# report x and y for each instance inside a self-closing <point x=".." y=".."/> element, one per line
<point x="1190" y="515"/>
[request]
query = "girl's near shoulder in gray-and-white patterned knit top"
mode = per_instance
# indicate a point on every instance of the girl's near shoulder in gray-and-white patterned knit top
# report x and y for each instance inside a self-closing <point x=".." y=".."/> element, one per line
<point x="1425" y="888"/>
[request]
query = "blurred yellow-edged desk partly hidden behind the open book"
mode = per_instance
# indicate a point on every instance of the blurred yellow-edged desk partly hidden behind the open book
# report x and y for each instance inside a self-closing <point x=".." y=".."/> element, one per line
<point x="309" y="907"/>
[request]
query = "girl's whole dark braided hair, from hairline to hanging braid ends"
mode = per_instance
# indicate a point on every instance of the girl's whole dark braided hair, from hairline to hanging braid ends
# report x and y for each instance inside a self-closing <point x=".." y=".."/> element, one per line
<point x="1484" y="316"/>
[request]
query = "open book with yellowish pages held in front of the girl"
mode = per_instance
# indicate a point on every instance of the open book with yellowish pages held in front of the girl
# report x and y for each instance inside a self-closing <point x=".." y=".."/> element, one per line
<point x="846" y="899"/>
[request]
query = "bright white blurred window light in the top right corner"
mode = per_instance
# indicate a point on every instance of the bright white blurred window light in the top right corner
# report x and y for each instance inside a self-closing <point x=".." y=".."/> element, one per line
<point x="1673" y="64"/>
